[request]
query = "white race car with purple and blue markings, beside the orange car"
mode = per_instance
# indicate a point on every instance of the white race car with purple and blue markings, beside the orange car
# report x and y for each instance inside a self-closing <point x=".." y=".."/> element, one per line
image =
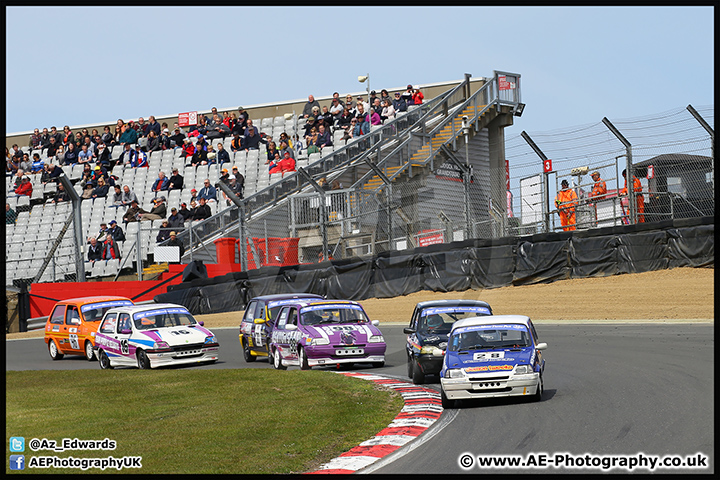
<point x="153" y="335"/>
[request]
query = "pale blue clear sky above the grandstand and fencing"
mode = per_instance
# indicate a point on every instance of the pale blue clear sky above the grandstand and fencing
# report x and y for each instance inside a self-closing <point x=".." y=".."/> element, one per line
<point x="87" y="65"/>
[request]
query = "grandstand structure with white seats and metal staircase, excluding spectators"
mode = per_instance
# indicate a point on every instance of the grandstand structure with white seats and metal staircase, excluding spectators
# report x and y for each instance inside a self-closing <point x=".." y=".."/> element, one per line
<point x="407" y="170"/>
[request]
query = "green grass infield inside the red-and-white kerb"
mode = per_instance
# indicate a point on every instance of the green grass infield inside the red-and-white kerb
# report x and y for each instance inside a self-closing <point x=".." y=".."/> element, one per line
<point x="198" y="421"/>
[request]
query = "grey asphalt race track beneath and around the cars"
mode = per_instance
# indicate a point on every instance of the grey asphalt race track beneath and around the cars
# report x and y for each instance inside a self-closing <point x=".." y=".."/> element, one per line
<point x="631" y="390"/>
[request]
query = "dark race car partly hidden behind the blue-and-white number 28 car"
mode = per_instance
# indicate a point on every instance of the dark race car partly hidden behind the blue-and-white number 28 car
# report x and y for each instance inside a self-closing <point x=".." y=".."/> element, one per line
<point x="427" y="334"/>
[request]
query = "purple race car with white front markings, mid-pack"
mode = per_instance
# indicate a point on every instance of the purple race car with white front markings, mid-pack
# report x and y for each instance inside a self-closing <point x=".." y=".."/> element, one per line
<point x="326" y="332"/>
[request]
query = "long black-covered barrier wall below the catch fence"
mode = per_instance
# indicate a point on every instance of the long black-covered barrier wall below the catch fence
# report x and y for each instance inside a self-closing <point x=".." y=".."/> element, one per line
<point x="464" y="265"/>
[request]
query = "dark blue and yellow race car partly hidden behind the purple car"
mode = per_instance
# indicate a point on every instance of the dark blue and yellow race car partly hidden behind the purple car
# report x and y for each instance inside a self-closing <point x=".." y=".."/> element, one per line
<point x="259" y="319"/>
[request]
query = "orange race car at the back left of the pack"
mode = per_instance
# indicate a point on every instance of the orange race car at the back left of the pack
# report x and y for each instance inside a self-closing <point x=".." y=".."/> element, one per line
<point x="72" y="323"/>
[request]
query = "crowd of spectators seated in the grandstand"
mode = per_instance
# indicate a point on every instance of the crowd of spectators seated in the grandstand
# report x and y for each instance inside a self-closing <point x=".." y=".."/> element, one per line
<point x="138" y="139"/>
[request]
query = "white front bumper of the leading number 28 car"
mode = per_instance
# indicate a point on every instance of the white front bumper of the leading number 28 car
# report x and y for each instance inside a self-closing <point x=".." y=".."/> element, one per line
<point x="490" y="386"/>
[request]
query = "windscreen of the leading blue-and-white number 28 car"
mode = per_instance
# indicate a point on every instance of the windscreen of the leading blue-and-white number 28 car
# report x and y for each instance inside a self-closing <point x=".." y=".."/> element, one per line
<point x="489" y="337"/>
